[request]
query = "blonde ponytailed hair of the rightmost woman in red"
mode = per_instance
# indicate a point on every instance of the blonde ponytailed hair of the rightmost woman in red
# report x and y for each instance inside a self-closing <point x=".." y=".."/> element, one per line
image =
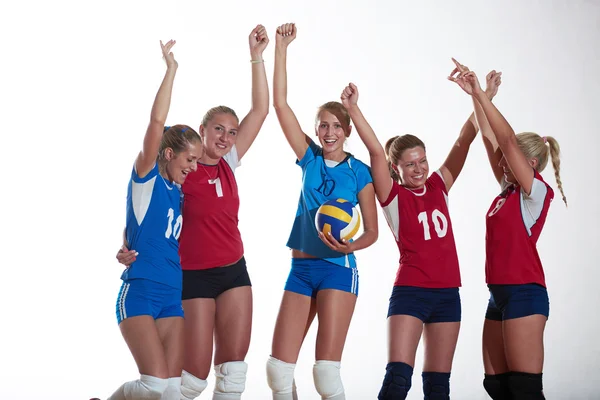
<point x="535" y="146"/>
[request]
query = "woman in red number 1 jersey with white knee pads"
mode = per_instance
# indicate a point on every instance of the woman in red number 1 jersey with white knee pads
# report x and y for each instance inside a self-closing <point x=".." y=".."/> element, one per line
<point x="217" y="294"/>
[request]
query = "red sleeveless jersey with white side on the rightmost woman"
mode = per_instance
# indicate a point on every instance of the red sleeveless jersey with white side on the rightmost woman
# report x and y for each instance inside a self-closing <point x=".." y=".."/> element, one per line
<point x="514" y="223"/>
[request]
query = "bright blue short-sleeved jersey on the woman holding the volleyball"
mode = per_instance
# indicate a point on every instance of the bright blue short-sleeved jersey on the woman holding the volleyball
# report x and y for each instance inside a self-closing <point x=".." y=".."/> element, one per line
<point x="321" y="183"/>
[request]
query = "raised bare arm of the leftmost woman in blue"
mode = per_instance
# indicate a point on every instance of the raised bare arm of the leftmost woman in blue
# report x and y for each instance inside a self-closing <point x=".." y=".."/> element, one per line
<point x="160" y="109"/>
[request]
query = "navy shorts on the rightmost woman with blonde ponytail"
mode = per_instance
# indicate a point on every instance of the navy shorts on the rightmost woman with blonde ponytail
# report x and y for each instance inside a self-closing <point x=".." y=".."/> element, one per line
<point x="516" y="301"/>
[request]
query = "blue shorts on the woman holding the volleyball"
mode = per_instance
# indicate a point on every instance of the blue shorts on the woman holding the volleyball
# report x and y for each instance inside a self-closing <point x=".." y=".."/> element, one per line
<point x="309" y="275"/>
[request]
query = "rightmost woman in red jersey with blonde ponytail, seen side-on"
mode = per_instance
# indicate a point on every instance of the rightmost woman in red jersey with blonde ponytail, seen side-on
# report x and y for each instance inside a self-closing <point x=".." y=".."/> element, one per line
<point x="513" y="333"/>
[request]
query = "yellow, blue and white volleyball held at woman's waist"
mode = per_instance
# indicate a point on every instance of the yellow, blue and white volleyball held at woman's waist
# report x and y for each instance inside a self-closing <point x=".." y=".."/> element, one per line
<point x="339" y="217"/>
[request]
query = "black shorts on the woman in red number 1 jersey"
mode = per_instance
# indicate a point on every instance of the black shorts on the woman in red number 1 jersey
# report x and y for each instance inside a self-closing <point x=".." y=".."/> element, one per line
<point x="210" y="283"/>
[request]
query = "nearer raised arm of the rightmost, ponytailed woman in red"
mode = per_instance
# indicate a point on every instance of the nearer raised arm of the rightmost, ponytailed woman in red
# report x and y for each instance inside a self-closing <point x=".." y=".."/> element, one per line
<point x="503" y="132"/>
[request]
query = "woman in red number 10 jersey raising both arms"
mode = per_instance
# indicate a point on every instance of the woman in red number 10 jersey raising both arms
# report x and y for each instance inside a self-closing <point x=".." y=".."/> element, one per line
<point x="425" y="298"/>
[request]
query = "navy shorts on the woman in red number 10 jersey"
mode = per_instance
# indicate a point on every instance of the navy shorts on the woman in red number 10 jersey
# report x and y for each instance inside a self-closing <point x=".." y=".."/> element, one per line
<point x="429" y="305"/>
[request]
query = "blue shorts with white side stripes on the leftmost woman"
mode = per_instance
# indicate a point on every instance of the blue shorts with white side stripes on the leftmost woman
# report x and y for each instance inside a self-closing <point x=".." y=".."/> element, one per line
<point x="146" y="297"/>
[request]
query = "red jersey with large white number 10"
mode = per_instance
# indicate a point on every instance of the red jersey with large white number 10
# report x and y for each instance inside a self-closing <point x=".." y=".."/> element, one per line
<point x="420" y="221"/>
